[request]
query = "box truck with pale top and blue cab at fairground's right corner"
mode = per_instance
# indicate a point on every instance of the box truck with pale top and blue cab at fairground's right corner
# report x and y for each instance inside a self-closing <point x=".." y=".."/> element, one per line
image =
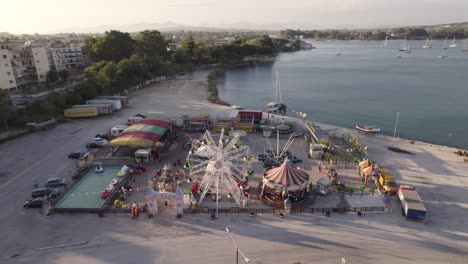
<point x="412" y="206"/>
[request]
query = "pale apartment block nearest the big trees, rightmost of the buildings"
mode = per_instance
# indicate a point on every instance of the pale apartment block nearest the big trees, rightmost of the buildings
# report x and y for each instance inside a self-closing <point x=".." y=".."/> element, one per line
<point x="67" y="58"/>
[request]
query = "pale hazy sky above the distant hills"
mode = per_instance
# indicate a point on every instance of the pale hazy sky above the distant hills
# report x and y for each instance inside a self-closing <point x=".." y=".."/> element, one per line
<point x="45" y="16"/>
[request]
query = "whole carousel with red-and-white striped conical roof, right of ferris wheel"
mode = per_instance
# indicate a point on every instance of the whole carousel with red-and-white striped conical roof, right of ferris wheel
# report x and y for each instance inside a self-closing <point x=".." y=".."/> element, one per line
<point x="284" y="181"/>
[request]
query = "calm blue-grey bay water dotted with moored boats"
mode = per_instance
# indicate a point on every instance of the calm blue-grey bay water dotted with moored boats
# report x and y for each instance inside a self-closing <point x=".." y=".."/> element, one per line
<point x="367" y="84"/>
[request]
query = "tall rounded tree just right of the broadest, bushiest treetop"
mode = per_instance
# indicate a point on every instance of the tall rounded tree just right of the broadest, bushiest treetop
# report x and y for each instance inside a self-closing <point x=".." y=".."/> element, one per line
<point x="150" y="45"/>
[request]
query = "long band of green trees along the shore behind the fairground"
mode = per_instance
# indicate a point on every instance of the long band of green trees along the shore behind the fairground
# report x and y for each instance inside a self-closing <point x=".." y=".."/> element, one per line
<point x="122" y="61"/>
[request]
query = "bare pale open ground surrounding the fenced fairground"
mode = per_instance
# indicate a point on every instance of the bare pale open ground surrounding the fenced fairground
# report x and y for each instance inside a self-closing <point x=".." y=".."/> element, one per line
<point x="440" y="176"/>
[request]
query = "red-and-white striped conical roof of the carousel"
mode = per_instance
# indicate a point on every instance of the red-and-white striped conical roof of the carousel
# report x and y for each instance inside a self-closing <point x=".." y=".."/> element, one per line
<point x="286" y="175"/>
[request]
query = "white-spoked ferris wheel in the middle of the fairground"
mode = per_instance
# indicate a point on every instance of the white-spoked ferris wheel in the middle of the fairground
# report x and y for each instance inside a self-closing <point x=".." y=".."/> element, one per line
<point x="222" y="162"/>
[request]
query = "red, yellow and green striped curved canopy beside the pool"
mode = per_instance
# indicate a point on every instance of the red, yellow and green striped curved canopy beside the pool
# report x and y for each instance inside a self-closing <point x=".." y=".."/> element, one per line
<point x="143" y="133"/>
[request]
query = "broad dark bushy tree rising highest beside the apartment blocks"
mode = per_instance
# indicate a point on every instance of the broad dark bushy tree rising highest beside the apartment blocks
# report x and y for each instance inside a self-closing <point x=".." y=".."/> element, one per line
<point x="113" y="46"/>
